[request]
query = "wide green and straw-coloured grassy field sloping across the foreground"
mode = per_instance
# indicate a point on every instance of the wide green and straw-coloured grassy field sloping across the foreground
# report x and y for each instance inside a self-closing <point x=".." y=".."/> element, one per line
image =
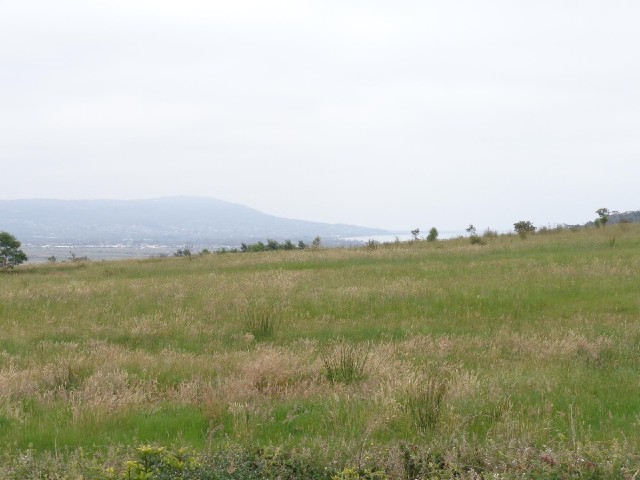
<point x="408" y="360"/>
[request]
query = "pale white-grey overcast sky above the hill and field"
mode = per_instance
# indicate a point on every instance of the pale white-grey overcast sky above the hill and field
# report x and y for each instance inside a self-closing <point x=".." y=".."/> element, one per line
<point x="389" y="114"/>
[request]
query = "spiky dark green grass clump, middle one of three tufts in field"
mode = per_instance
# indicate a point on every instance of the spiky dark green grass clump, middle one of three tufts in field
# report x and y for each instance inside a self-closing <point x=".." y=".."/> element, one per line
<point x="345" y="362"/>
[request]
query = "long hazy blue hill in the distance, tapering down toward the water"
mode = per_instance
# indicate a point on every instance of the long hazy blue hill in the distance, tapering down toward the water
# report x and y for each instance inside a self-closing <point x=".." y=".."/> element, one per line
<point x="171" y="219"/>
